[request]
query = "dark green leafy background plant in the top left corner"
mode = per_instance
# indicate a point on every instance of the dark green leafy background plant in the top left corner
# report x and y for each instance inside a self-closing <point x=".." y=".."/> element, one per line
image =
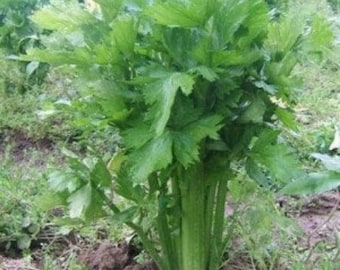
<point x="17" y="34"/>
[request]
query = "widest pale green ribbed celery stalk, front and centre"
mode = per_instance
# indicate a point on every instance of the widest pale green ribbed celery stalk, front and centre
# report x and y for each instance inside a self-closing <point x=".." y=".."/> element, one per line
<point x="193" y="219"/>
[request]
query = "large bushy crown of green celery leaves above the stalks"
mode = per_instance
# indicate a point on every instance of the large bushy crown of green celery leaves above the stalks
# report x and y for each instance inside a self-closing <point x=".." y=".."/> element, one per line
<point x="174" y="75"/>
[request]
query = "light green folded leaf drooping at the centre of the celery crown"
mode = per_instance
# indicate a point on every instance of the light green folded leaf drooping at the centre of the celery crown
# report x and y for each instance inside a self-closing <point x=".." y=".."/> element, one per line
<point x="161" y="95"/>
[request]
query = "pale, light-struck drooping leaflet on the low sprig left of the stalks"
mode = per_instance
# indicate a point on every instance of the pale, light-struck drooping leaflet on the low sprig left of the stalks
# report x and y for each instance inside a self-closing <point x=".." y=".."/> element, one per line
<point x="79" y="201"/>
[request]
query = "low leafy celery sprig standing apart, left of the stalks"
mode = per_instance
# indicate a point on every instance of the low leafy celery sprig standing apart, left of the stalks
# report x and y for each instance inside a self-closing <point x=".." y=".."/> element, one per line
<point x="84" y="188"/>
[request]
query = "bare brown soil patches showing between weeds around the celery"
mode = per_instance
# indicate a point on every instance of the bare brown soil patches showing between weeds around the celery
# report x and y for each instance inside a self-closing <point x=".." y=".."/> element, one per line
<point x="318" y="216"/>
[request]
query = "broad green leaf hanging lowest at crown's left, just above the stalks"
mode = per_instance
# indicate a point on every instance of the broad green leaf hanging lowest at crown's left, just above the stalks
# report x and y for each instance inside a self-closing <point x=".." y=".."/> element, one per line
<point x="153" y="156"/>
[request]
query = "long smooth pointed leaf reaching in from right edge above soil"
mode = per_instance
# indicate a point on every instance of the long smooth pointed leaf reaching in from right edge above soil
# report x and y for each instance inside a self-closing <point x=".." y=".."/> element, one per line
<point x="312" y="184"/>
